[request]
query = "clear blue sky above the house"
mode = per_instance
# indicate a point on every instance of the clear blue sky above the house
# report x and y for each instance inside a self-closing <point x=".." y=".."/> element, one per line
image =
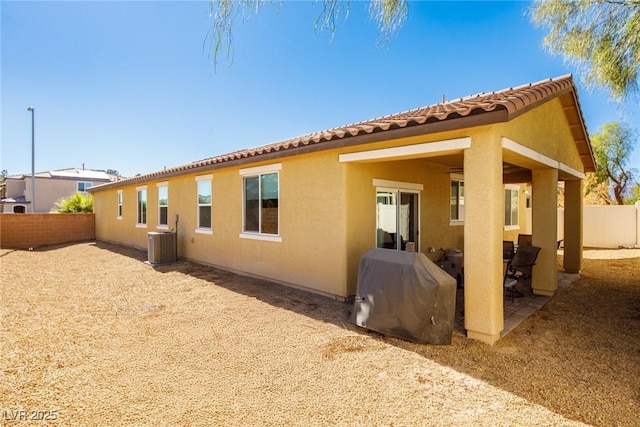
<point x="131" y="86"/>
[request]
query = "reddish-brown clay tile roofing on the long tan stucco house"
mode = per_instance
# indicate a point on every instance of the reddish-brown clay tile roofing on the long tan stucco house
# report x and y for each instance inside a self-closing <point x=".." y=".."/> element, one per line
<point x="512" y="102"/>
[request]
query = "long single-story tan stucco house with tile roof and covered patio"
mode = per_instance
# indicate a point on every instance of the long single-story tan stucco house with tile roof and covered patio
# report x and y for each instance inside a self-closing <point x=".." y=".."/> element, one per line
<point x="451" y="175"/>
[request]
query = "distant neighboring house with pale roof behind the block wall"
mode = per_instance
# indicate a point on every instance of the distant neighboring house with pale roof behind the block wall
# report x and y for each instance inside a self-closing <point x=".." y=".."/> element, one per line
<point x="16" y="192"/>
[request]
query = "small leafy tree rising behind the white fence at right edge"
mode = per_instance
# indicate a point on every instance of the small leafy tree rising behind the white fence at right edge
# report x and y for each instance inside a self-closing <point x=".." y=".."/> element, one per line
<point x="612" y="149"/>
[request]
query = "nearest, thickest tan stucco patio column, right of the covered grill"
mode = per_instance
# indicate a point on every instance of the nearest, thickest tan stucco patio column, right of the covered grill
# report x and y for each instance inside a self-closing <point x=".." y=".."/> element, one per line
<point x="483" y="223"/>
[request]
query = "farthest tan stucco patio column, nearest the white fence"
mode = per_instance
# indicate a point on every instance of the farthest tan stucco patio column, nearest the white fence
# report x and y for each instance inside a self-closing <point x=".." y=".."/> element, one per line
<point x="573" y="224"/>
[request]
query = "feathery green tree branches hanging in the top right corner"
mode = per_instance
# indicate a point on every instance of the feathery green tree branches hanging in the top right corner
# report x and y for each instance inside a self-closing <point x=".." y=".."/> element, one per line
<point x="600" y="37"/>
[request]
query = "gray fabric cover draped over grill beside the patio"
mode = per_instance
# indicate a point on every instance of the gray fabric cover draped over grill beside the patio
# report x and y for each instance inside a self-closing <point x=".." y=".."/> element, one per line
<point x="405" y="295"/>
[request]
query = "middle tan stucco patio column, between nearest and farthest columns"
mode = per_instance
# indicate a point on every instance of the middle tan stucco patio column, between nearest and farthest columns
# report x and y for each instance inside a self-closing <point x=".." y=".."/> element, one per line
<point x="544" y="220"/>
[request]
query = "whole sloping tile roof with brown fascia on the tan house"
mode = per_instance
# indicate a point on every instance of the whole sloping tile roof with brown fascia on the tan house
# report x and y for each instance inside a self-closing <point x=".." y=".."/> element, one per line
<point x="483" y="108"/>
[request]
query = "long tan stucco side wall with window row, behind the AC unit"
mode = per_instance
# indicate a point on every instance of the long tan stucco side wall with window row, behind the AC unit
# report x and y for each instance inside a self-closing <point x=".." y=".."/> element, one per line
<point x="312" y="214"/>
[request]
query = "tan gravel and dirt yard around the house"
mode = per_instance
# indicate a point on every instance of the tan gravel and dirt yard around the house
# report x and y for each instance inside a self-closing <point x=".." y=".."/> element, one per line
<point x="91" y="335"/>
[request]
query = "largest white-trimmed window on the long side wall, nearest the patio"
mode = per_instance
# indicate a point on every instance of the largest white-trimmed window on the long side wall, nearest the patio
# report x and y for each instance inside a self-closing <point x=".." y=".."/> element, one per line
<point x="261" y="202"/>
